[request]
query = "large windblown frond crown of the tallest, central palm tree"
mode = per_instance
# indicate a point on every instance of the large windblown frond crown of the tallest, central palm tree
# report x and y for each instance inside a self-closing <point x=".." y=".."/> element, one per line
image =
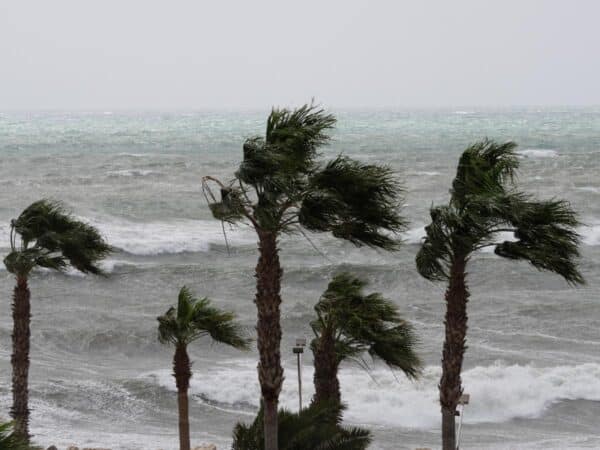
<point x="280" y="187"/>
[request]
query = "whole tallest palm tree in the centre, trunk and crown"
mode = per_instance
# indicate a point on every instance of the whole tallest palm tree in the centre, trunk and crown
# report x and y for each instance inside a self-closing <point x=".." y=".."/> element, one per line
<point x="280" y="188"/>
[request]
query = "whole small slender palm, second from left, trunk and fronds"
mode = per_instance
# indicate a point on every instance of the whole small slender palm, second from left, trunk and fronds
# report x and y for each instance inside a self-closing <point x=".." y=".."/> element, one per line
<point x="192" y="319"/>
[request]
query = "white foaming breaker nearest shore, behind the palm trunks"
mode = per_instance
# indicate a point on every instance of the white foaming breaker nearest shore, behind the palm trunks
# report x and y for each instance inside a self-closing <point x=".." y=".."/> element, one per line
<point x="499" y="392"/>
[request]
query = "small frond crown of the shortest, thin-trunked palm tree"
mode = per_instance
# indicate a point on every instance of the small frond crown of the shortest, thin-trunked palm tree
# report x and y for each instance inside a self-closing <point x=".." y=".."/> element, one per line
<point x="194" y="318"/>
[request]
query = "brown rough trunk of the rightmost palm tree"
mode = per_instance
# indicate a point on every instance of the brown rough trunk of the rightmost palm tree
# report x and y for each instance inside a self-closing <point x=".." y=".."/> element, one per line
<point x="457" y="296"/>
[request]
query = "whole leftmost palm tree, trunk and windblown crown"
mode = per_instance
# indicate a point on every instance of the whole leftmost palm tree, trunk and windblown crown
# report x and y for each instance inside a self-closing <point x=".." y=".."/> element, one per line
<point x="44" y="235"/>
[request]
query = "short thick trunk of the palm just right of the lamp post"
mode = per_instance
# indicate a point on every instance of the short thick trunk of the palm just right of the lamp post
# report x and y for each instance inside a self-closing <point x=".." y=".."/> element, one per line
<point x="327" y="385"/>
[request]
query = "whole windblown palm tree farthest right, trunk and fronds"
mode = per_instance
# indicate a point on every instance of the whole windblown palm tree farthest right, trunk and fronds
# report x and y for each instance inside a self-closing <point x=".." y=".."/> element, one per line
<point x="484" y="203"/>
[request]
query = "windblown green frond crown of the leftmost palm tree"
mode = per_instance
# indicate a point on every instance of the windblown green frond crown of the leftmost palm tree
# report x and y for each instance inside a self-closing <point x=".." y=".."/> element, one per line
<point x="52" y="238"/>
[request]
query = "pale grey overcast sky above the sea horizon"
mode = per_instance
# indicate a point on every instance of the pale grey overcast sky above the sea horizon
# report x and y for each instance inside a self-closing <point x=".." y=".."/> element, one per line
<point x="108" y="54"/>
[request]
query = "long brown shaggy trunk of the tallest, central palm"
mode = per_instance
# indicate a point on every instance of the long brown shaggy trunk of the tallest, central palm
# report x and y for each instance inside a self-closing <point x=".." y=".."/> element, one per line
<point x="268" y="327"/>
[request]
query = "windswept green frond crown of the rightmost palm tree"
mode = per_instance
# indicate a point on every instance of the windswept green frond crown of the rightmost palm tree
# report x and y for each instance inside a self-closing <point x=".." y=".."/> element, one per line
<point x="483" y="204"/>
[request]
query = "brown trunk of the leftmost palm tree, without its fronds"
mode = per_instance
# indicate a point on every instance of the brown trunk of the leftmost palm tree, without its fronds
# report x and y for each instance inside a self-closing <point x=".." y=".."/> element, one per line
<point x="21" y="309"/>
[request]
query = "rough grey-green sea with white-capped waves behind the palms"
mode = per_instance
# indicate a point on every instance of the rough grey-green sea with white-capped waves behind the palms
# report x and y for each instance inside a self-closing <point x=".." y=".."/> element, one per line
<point x="100" y="377"/>
